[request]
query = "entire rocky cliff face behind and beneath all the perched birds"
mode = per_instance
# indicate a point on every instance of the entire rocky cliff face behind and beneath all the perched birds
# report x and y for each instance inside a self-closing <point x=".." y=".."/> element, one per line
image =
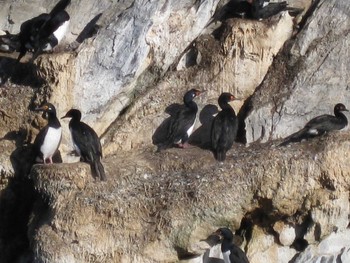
<point x="137" y="58"/>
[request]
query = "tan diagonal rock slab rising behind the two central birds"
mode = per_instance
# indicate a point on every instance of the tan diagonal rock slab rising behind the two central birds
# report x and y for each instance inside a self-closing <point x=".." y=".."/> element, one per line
<point x="244" y="51"/>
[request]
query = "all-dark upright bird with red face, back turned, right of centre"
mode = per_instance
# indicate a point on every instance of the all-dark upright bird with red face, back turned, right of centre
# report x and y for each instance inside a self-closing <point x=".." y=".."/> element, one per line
<point x="224" y="128"/>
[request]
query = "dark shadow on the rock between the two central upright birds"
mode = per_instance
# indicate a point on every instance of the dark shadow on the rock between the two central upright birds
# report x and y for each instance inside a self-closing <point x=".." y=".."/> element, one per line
<point x="201" y="136"/>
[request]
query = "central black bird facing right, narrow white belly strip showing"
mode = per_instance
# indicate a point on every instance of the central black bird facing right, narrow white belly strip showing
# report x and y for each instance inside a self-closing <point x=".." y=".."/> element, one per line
<point x="182" y="123"/>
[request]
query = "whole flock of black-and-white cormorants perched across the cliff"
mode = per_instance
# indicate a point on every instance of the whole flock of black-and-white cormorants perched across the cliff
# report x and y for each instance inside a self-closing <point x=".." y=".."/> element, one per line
<point x="44" y="32"/>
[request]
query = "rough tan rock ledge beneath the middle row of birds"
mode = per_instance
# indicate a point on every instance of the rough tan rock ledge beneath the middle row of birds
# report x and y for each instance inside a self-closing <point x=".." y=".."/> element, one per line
<point x="156" y="205"/>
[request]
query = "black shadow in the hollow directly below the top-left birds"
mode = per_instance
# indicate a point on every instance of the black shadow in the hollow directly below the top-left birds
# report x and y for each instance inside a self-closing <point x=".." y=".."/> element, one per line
<point x="25" y="74"/>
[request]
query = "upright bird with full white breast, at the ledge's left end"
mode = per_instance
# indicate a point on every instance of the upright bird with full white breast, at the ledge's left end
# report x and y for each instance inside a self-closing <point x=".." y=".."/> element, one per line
<point x="48" y="139"/>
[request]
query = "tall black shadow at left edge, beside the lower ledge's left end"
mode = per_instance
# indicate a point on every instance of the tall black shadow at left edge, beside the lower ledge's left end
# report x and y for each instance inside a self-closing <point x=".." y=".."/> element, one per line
<point x="17" y="201"/>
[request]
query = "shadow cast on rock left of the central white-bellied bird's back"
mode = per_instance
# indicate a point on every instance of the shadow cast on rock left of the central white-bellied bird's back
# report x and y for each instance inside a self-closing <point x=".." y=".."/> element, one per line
<point x="160" y="134"/>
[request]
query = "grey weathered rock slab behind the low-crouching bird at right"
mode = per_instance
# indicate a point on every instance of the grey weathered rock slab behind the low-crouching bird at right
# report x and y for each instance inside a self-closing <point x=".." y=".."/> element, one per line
<point x="307" y="79"/>
